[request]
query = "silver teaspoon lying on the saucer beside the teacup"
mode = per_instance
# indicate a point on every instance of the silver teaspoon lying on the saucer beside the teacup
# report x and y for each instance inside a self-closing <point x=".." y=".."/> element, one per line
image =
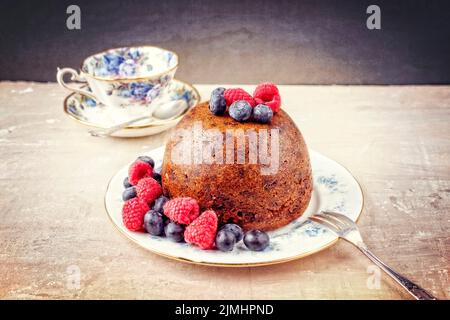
<point x="178" y="106"/>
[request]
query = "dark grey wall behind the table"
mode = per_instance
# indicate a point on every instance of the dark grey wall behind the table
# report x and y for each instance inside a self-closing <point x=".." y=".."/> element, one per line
<point x="238" y="41"/>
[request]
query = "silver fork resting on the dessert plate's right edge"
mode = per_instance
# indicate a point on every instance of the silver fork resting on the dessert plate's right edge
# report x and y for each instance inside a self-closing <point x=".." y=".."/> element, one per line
<point x="346" y="229"/>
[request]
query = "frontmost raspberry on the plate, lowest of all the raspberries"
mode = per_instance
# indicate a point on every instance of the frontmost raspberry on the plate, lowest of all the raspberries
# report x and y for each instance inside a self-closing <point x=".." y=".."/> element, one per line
<point x="202" y="231"/>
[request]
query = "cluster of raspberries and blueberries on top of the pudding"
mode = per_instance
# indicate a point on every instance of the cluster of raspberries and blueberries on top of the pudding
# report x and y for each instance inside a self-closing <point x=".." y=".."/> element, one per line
<point x="242" y="106"/>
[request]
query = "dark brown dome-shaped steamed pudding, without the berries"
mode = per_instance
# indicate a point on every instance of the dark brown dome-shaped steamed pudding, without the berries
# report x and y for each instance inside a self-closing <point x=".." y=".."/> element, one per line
<point x="241" y="193"/>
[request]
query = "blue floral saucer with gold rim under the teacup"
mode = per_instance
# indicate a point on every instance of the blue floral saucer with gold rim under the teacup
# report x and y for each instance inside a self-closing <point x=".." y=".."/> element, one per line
<point x="87" y="112"/>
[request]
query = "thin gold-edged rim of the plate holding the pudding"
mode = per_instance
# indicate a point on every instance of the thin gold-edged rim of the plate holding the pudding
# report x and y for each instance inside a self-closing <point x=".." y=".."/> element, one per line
<point x="235" y="265"/>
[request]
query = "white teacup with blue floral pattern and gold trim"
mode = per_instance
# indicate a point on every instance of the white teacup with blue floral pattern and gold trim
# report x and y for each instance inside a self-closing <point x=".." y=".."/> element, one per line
<point x="124" y="76"/>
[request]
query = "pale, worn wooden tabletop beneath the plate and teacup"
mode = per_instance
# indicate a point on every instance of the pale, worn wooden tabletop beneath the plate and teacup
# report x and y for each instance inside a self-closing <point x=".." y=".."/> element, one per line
<point x="394" y="139"/>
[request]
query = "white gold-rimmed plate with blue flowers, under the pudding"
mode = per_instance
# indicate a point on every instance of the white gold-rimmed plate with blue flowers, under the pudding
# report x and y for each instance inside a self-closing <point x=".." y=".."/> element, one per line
<point x="334" y="189"/>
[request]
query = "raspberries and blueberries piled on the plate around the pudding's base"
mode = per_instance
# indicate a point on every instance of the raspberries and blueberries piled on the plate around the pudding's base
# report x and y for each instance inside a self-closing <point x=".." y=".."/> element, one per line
<point x="146" y="209"/>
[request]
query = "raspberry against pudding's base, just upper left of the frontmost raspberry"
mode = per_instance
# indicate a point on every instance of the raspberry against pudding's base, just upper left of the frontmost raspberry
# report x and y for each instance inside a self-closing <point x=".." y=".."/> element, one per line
<point x="182" y="210"/>
